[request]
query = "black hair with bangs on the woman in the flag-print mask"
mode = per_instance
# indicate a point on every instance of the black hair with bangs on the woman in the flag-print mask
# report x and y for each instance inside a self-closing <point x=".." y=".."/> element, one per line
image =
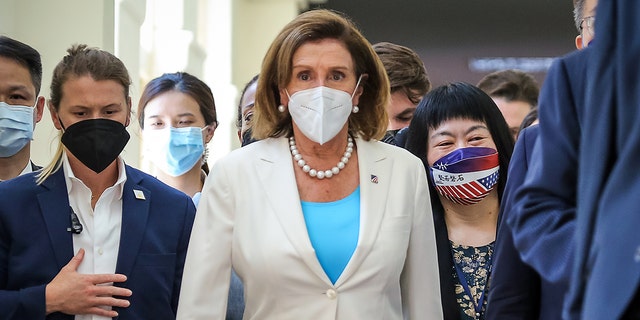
<point x="459" y="100"/>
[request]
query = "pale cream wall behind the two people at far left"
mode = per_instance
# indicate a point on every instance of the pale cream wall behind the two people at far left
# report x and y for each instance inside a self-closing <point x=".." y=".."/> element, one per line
<point x="51" y="29"/>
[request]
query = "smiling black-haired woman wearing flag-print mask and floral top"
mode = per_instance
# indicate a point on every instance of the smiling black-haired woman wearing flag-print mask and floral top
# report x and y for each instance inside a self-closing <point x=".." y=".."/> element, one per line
<point x="465" y="145"/>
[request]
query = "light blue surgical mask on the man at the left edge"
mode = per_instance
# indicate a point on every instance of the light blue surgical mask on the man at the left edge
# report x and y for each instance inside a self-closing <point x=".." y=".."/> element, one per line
<point x="16" y="128"/>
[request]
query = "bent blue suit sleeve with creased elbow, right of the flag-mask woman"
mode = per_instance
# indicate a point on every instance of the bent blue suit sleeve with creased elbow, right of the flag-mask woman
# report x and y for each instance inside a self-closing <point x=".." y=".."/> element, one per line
<point x="543" y="219"/>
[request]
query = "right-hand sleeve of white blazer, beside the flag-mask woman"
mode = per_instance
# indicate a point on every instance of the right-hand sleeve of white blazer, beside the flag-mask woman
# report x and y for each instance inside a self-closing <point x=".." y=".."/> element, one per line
<point x="420" y="283"/>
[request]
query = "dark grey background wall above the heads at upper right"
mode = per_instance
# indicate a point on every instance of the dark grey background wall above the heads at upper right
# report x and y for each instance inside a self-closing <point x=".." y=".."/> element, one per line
<point x="449" y="34"/>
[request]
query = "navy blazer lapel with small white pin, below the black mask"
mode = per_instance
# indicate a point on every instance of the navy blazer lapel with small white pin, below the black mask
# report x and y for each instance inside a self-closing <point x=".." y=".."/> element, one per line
<point x="135" y="211"/>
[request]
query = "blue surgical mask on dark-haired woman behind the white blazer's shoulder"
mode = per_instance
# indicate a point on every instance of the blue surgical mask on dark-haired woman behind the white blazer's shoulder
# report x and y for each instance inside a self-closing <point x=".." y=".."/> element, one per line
<point x="174" y="150"/>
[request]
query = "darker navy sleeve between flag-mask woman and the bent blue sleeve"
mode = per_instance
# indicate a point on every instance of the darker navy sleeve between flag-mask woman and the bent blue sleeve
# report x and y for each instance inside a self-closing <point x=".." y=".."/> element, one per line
<point x="515" y="287"/>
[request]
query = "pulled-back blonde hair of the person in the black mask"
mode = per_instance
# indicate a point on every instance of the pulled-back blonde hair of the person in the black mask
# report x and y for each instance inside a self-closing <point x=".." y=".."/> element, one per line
<point x="81" y="61"/>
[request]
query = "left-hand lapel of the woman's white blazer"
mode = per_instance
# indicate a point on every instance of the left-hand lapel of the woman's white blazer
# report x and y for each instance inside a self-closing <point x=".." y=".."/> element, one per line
<point x="274" y="169"/>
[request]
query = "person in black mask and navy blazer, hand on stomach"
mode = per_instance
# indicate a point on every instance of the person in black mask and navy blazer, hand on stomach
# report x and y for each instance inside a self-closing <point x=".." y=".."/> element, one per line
<point x="89" y="237"/>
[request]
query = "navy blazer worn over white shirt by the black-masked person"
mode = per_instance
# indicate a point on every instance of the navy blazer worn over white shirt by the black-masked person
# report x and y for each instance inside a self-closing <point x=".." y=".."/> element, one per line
<point x="35" y="244"/>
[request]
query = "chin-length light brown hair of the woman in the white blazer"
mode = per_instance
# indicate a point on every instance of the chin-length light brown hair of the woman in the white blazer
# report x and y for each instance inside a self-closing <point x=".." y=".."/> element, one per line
<point x="370" y="123"/>
